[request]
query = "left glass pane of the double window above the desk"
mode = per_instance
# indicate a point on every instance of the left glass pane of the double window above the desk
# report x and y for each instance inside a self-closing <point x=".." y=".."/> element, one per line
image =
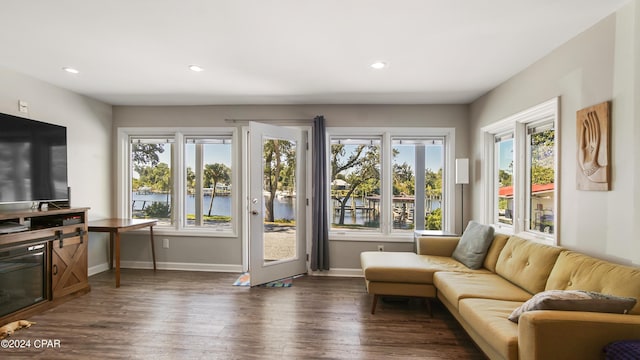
<point x="151" y="181"/>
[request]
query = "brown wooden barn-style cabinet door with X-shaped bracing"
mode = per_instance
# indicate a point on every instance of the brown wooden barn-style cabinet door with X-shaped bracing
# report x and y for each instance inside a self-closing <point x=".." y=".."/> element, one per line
<point x="69" y="264"/>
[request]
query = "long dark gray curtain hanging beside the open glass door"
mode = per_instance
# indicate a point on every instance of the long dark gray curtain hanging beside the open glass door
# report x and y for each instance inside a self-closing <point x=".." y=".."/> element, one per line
<point x="320" y="236"/>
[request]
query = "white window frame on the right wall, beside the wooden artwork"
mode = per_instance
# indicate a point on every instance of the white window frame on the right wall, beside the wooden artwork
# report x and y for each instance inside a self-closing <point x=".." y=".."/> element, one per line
<point x="518" y="123"/>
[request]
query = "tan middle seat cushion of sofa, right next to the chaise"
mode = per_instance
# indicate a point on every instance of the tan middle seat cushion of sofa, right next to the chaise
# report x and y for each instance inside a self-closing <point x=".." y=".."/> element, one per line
<point x="456" y="286"/>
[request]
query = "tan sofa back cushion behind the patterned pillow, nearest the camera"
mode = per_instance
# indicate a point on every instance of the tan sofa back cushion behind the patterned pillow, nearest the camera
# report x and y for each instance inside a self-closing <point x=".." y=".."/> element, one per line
<point x="575" y="271"/>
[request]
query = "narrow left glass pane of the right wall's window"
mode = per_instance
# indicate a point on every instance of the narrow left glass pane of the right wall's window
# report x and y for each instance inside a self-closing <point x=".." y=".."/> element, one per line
<point x="504" y="178"/>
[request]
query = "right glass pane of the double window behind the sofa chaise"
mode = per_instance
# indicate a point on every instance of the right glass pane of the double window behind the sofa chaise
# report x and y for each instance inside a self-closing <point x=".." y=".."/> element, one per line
<point x="417" y="163"/>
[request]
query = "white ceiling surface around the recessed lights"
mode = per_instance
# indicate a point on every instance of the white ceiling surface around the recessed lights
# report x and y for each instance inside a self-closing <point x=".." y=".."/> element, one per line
<point x="137" y="52"/>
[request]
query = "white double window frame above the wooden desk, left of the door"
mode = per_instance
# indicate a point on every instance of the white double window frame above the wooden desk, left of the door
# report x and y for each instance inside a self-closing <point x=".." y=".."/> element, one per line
<point x="123" y="176"/>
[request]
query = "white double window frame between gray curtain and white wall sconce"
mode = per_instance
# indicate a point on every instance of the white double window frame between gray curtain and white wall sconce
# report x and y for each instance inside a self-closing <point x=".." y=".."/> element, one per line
<point x="386" y="232"/>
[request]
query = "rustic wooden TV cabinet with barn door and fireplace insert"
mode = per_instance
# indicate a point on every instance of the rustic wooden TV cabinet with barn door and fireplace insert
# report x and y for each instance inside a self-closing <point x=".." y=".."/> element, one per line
<point x="43" y="260"/>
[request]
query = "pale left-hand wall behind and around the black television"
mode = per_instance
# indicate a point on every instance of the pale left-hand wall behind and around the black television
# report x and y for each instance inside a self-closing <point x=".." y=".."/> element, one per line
<point x="89" y="134"/>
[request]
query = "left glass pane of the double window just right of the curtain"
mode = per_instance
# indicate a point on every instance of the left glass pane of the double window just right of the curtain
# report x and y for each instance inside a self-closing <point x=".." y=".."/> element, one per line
<point x="355" y="184"/>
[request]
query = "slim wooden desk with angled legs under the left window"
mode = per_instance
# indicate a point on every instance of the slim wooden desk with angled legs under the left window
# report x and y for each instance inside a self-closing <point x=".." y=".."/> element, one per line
<point x="116" y="226"/>
